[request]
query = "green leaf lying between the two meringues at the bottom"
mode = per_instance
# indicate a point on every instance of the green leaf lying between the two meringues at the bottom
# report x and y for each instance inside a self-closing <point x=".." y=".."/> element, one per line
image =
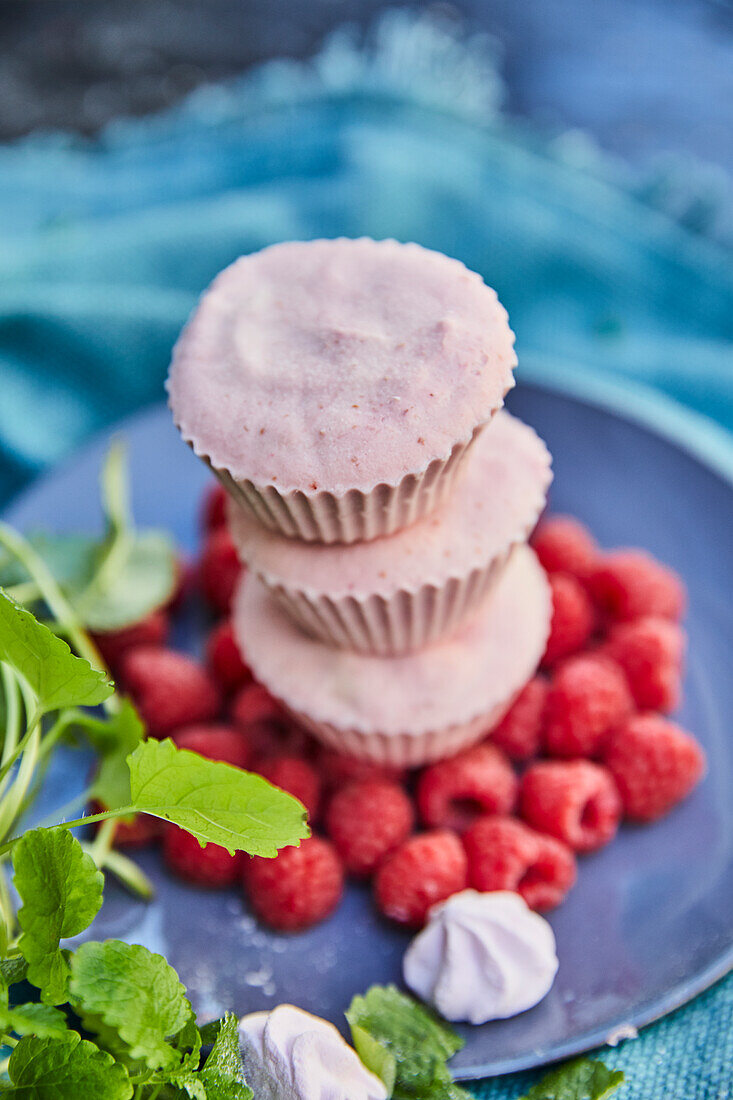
<point x="417" y="1044"/>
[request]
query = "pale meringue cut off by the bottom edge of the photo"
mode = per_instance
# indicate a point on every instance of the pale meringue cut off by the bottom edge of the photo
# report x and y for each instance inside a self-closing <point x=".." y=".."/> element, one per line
<point x="292" y="1055"/>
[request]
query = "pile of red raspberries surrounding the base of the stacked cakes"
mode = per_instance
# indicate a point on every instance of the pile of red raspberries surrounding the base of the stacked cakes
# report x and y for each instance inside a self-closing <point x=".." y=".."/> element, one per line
<point x="586" y="745"/>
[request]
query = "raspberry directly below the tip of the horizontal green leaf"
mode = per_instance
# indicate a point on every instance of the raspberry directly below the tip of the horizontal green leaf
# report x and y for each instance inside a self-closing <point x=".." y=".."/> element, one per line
<point x="299" y="888"/>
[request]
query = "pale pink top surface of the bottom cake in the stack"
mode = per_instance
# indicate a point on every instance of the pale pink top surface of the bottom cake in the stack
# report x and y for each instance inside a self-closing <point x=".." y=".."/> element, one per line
<point x="488" y="662"/>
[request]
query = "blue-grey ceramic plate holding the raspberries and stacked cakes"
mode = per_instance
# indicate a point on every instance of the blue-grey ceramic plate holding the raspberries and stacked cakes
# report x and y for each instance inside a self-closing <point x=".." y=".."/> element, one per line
<point x="649" y="925"/>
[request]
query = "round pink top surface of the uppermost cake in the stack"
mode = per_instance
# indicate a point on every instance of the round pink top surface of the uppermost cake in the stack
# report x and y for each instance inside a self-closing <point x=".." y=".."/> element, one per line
<point x="340" y="365"/>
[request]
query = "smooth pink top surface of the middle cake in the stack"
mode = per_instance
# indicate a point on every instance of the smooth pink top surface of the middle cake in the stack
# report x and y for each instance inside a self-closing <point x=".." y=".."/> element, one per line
<point x="496" y="503"/>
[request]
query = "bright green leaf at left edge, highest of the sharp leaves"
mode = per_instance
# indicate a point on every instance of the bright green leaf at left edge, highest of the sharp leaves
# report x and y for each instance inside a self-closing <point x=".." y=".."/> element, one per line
<point x="54" y="674"/>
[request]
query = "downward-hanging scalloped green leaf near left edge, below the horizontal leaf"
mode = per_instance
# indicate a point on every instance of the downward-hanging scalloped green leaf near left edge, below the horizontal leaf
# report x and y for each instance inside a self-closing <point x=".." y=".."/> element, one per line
<point x="62" y="893"/>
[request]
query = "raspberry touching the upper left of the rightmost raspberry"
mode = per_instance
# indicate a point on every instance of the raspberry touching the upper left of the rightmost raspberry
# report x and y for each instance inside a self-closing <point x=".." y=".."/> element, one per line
<point x="588" y="698"/>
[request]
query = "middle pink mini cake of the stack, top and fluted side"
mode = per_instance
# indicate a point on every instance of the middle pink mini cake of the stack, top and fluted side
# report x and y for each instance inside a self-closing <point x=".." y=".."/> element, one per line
<point x="393" y="596"/>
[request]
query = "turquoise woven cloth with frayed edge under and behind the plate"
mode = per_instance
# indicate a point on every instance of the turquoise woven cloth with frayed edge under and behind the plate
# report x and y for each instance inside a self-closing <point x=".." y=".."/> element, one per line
<point x="106" y="247"/>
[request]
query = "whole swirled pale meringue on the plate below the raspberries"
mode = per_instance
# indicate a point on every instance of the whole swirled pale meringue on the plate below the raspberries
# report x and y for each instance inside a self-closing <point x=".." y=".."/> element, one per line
<point x="483" y="956"/>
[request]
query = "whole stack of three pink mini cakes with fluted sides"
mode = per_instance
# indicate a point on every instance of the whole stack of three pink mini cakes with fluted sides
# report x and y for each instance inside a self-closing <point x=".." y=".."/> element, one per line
<point x="348" y="394"/>
